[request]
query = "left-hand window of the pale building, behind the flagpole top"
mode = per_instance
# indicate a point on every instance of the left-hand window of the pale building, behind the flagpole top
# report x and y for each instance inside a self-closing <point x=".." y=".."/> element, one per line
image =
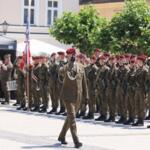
<point x="26" y="11"/>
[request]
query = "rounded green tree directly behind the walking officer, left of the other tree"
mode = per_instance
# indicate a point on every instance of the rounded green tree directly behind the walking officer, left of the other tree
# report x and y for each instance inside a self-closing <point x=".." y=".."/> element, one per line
<point x="81" y="30"/>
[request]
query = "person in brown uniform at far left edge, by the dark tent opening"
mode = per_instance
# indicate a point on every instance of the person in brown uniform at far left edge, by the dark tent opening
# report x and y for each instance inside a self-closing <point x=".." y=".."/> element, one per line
<point x="6" y="71"/>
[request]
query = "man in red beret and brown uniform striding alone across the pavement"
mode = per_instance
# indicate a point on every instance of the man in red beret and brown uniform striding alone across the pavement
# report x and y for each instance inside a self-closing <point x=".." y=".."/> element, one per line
<point x="74" y="86"/>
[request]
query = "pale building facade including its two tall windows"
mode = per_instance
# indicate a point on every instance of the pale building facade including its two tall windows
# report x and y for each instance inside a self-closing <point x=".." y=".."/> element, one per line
<point x="42" y="15"/>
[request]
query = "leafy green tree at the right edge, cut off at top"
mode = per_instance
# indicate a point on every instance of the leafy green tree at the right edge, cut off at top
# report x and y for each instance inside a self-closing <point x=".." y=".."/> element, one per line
<point x="128" y="30"/>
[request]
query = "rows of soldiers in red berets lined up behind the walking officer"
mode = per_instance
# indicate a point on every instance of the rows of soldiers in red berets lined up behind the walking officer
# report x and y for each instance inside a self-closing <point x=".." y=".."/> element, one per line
<point x="118" y="85"/>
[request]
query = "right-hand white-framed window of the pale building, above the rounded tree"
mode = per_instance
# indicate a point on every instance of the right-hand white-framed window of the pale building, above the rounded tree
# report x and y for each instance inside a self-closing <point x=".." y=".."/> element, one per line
<point x="52" y="11"/>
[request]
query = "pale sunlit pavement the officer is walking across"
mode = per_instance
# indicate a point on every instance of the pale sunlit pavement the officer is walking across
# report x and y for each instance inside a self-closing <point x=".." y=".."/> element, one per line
<point x="21" y="130"/>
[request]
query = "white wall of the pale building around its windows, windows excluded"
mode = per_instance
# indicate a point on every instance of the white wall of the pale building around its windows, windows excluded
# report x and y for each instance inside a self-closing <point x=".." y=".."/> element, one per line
<point x="12" y="12"/>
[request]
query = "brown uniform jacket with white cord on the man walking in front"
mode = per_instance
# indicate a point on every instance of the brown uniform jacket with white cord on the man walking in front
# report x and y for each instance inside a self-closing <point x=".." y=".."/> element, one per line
<point x="72" y="90"/>
